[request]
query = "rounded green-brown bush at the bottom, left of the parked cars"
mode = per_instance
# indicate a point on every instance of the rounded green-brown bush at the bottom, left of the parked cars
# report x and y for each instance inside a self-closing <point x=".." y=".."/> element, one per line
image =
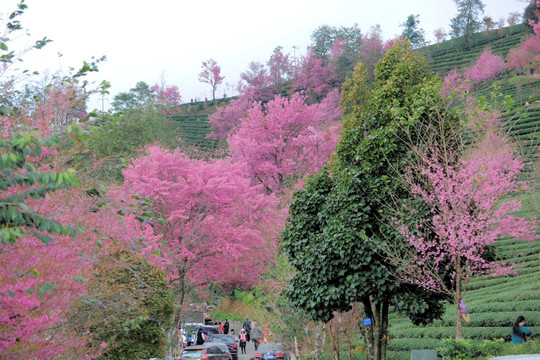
<point x="128" y="307"/>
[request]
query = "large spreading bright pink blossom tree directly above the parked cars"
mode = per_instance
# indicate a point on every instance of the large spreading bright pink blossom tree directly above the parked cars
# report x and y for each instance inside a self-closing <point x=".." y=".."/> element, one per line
<point x="211" y="221"/>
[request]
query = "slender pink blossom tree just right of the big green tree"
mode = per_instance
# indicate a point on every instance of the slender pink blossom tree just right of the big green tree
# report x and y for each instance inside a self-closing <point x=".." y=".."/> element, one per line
<point x="463" y="194"/>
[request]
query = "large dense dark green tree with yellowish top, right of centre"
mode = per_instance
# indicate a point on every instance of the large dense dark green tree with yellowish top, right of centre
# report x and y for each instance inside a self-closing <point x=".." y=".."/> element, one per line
<point x="335" y="220"/>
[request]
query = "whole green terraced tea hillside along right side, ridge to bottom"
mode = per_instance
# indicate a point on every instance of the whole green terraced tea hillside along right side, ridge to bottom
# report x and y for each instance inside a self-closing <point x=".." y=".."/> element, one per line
<point x="494" y="303"/>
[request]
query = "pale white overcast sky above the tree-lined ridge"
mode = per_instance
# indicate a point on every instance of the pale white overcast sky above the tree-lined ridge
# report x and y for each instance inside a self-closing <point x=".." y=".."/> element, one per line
<point x="151" y="40"/>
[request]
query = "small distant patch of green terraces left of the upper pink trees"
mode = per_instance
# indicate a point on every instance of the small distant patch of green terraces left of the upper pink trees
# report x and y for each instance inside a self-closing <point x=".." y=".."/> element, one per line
<point x="194" y="129"/>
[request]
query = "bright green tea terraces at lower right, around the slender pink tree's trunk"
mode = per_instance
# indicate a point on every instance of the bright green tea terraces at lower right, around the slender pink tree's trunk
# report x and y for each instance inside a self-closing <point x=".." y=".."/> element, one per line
<point x="494" y="303"/>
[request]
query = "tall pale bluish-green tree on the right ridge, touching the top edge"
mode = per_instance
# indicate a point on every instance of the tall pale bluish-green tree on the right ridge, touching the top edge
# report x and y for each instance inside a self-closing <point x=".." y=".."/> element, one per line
<point x="466" y="22"/>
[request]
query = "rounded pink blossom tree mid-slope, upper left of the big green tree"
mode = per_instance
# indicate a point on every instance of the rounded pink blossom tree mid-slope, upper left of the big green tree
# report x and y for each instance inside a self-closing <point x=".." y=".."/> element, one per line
<point x="283" y="142"/>
